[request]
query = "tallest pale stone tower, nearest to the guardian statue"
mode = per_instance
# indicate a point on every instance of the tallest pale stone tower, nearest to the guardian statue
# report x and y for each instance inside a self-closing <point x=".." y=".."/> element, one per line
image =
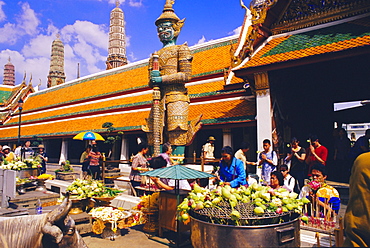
<point x="117" y="39"/>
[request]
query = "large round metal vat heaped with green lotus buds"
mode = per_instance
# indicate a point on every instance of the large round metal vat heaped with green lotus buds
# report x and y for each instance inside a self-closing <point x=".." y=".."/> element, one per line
<point x="253" y="216"/>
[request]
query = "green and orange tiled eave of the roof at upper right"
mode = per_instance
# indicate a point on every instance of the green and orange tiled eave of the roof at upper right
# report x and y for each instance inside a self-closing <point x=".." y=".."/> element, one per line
<point x="311" y="42"/>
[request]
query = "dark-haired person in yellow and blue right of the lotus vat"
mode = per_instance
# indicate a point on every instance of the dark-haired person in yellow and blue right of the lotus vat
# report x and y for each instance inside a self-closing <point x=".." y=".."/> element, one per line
<point x="328" y="196"/>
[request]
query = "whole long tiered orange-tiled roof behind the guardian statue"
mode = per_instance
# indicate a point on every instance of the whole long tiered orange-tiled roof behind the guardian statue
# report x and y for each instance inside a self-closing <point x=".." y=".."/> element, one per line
<point x="122" y="96"/>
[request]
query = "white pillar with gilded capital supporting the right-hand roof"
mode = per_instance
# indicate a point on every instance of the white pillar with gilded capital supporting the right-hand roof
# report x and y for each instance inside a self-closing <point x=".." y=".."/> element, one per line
<point x="264" y="111"/>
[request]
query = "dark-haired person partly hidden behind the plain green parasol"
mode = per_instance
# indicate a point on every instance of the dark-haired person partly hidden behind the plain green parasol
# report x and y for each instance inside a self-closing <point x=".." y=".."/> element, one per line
<point x="164" y="183"/>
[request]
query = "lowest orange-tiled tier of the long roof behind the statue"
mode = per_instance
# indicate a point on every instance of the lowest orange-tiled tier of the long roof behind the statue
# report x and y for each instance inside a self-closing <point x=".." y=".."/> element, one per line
<point x="236" y="110"/>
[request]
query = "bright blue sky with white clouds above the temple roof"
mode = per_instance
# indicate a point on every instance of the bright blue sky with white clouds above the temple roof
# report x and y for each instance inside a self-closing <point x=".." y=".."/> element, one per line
<point x="28" y="27"/>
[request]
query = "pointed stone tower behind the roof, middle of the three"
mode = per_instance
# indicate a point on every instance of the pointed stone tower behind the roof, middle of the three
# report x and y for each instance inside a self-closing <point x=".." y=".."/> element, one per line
<point x="56" y="74"/>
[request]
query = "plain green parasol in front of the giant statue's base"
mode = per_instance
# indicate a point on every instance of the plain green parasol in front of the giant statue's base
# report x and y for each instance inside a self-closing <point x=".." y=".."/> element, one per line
<point x="177" y="172"/>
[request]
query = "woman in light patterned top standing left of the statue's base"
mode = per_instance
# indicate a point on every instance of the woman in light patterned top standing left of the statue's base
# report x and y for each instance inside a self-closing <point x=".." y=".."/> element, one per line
<point x="139" y="164"/>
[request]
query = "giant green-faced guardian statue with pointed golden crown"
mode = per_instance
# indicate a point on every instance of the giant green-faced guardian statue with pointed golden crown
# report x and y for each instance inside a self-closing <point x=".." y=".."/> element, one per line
<point x="169" y="70"/>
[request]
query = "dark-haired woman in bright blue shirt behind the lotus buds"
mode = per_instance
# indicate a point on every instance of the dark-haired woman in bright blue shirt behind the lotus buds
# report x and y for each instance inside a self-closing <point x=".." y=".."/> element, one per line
<point x="231" y="169"/>
